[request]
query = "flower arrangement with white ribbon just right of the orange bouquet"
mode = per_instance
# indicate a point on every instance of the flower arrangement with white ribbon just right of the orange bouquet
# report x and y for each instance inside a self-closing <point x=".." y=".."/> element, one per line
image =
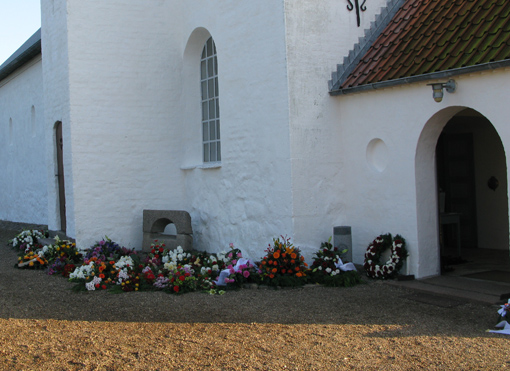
<point x="328" y="268"/>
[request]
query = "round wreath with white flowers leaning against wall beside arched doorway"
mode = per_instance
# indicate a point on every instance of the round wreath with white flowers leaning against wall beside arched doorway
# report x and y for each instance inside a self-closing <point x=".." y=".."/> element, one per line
<point x="390" y="269"/>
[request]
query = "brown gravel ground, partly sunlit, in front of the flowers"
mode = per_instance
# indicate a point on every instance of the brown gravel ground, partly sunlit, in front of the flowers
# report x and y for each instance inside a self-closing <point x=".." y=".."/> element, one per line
<point x="374" y="326"/>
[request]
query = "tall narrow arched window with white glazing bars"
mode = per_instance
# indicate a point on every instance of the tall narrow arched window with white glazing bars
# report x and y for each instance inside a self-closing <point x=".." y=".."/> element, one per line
<point x="210" y="103"/>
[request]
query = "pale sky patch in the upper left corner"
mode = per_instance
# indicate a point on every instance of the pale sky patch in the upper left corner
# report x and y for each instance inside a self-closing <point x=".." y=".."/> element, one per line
<point x="19" y="19"/>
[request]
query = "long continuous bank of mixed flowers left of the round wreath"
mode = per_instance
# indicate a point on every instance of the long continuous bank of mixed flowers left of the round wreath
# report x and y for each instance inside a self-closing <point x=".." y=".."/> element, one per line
<point x="109" y="266"/>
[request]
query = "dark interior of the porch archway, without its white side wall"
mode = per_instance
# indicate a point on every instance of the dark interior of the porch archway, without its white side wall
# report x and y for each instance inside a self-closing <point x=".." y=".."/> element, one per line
<point x="472" y="192"/>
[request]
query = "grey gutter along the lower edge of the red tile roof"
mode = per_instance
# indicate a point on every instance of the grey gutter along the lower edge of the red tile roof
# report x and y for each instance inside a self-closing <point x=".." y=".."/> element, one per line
<point x="424" y="77"/>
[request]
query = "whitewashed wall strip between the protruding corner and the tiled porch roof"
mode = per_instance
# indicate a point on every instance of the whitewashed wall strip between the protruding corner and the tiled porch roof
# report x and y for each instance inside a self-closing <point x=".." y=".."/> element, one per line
<point x="319" y="34"/>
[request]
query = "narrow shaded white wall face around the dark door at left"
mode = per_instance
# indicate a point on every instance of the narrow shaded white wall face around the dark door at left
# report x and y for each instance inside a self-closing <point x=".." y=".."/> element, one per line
<point x="56" y="102"/>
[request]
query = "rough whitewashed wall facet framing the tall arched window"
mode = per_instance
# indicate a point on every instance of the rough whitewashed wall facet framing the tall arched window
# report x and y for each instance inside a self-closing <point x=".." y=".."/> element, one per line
<point x="247" y="200"/>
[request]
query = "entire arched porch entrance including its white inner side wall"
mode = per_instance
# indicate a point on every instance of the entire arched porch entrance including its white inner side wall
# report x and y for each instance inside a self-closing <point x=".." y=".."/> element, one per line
<point x="462" y="195"/>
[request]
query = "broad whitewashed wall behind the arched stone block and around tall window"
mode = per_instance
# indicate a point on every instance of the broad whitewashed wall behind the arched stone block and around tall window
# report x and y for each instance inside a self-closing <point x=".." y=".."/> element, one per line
<point x="129" y="112"/>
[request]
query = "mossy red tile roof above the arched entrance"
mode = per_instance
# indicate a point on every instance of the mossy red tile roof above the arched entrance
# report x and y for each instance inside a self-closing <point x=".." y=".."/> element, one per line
<point x="428" y="36"/>
